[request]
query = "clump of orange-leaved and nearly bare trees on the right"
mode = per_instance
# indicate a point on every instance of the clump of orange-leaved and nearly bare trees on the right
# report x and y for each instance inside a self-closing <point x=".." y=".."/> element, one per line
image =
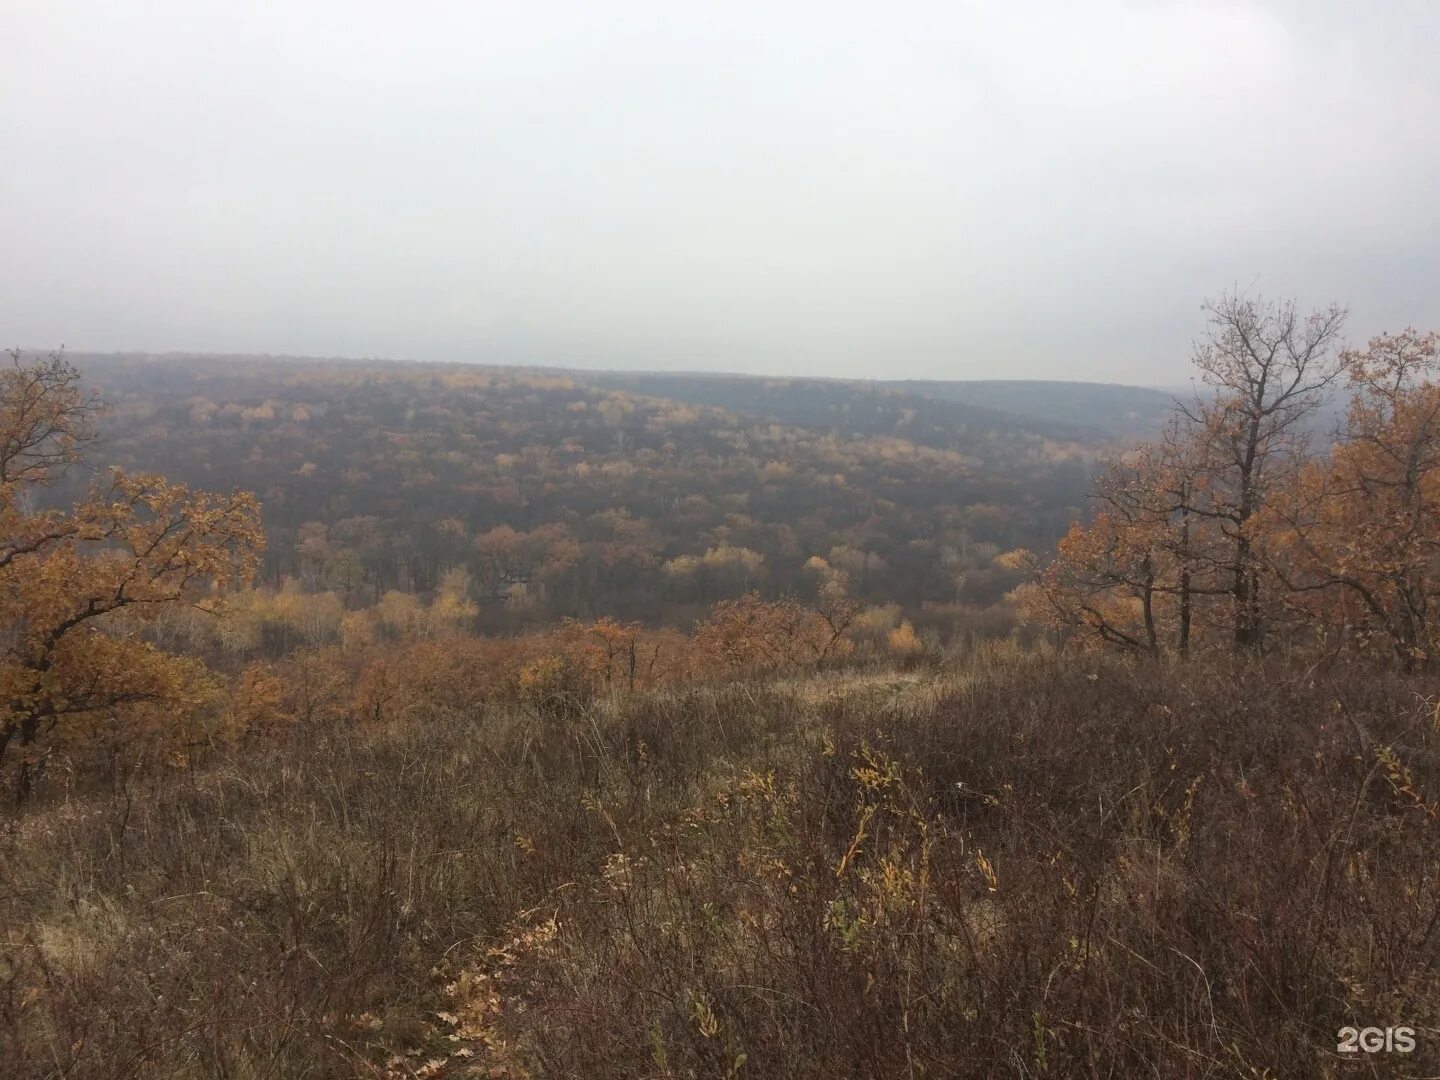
<point x="1251" y="526"/>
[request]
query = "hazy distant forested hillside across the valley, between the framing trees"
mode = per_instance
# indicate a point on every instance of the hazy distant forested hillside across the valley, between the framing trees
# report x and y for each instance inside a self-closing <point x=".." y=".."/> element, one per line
<point x="564" y="495"/>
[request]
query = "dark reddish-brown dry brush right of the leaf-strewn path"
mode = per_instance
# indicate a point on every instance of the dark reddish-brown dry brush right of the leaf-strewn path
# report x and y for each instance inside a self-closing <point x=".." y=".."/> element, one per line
<point x="1056" y="872"/>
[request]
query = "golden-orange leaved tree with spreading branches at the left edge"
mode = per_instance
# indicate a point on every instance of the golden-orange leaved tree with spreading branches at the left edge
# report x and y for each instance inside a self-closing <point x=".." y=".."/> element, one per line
<point x="77" y="585"/>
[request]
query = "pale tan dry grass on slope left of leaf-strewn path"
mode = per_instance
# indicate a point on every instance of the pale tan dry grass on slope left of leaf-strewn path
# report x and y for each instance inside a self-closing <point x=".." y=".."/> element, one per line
<point x="296" y="911"/>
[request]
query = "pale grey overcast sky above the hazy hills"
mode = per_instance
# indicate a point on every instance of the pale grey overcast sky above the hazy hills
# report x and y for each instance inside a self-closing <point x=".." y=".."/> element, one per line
<point x="882" y="189"/>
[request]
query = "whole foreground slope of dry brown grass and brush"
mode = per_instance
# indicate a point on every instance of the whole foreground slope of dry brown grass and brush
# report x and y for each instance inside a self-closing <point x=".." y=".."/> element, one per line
<point x="1020" y="869"/>
